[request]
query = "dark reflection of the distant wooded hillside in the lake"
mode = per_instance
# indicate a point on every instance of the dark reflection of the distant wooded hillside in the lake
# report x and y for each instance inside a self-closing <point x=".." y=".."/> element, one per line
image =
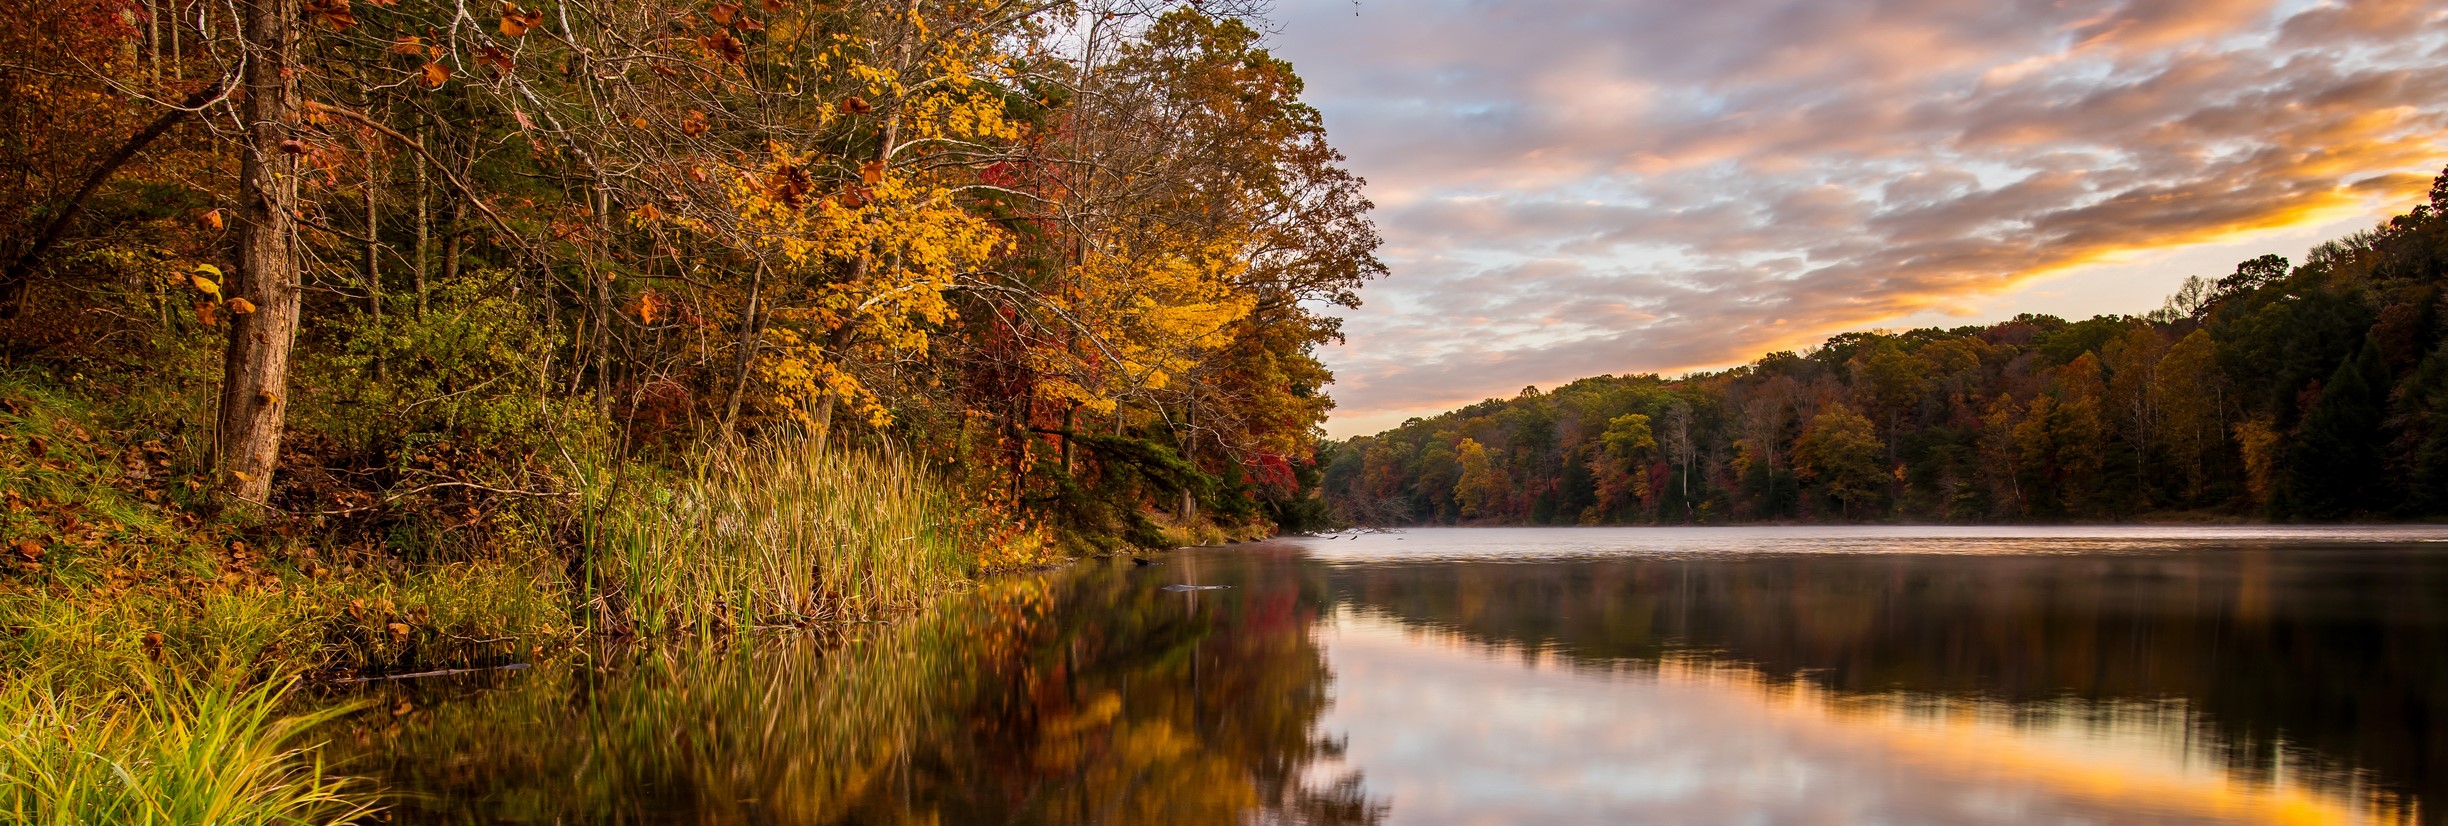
<point x="2342" y="653"/>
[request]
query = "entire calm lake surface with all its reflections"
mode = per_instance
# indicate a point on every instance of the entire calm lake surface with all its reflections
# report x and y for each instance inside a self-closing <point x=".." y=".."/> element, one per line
<point x="1521" y="678"/>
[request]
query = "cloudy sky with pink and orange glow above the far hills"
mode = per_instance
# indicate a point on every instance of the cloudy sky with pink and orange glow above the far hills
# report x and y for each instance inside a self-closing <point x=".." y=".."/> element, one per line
<point x="1578" y="188"/>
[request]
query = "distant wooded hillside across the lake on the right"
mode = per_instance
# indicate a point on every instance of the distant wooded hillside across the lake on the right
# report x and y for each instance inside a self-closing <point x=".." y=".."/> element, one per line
<point x="2293" y="393"/>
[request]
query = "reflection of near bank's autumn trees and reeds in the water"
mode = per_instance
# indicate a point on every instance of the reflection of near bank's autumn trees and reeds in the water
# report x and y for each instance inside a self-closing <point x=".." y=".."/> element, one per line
<point x="1071" y="700"/>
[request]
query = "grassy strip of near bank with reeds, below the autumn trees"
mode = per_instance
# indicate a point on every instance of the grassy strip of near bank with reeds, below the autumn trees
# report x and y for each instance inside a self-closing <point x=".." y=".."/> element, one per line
<point x="143" y="624"/>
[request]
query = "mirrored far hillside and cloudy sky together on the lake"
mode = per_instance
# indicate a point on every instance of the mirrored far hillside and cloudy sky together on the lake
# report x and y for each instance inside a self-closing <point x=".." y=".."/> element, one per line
<point x="2165" y="680"/>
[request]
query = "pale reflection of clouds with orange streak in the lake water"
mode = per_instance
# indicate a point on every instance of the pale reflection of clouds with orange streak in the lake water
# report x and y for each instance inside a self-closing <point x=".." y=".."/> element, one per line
<point x="1455" y="732"/>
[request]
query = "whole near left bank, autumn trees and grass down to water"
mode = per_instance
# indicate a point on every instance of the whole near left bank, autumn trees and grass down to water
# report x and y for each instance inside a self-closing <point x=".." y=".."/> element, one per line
<point x="364" y="337"/>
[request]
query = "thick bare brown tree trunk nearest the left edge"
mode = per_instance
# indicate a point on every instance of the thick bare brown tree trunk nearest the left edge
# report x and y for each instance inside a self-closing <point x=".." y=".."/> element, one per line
<point x="256" y="376"/>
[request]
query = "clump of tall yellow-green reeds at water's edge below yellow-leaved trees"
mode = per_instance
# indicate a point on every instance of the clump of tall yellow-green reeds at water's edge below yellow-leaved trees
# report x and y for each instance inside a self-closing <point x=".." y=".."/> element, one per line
<point x="780" y="533"/>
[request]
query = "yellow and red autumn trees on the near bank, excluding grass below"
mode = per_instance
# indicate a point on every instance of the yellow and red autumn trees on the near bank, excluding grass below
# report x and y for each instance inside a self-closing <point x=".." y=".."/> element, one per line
<point x="1078" y="254"/>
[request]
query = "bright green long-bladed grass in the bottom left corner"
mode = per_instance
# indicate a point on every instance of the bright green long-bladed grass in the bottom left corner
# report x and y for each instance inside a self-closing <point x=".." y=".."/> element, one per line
<point x="182" y="751"/>
